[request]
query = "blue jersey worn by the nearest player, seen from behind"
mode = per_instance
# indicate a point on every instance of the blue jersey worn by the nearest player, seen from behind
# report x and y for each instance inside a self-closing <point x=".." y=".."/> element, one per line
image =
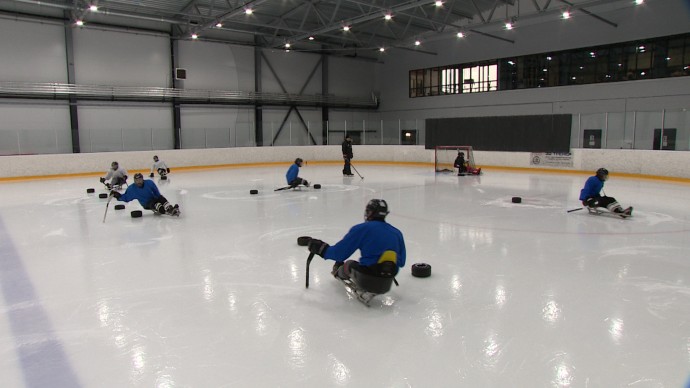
<point x="372" y="238"/>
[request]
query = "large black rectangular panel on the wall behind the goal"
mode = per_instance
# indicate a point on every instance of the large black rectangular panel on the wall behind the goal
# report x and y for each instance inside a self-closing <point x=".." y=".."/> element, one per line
<point x="542" y="133"/>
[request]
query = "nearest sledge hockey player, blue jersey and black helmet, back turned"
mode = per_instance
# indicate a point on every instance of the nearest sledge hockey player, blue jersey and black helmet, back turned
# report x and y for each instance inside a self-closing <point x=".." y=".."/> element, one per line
<point x="381" y="245"/>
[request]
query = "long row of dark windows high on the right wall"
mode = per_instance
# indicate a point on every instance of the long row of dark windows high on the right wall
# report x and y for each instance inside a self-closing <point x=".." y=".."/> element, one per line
<point x="645" y="59"/>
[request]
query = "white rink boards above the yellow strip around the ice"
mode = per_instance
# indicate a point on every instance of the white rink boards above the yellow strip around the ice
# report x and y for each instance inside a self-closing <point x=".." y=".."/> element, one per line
<point x="651" y="163"/>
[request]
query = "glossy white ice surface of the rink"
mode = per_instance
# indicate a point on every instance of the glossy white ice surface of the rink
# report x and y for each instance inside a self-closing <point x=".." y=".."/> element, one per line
<point x="521" y="295"/>
